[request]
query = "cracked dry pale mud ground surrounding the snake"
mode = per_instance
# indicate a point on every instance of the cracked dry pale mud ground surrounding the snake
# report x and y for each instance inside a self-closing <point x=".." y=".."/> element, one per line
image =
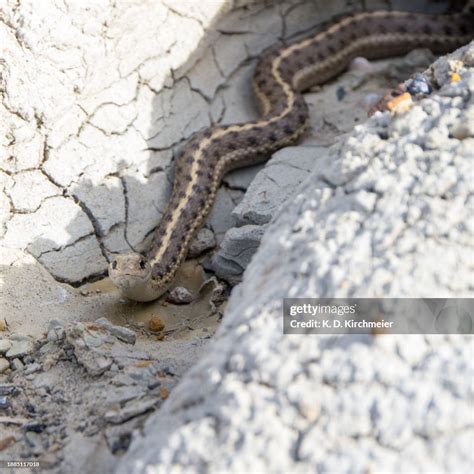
<point x="89" y="134"/>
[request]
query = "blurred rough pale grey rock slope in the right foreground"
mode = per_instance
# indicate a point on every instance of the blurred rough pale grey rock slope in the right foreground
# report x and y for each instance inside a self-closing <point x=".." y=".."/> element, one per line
<point x="388" y="215"/>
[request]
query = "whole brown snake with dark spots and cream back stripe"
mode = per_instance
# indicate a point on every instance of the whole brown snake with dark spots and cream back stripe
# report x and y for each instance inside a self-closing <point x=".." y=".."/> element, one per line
<point x="281" y="75"/>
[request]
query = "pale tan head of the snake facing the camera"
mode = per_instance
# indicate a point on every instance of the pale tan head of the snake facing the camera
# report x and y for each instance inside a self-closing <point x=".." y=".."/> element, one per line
<point x="131" y="273"/>
